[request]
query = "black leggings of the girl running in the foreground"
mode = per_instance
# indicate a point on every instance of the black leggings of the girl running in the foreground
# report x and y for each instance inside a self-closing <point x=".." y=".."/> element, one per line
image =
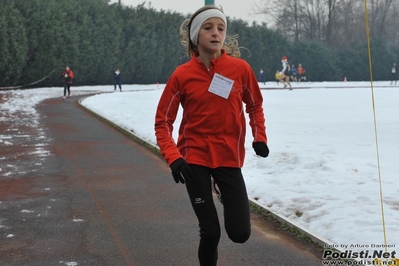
<point x="235" y="203"/>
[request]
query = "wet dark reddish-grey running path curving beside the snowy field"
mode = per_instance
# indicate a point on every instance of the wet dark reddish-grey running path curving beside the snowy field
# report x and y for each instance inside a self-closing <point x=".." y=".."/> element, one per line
<point x="102" y="198"/>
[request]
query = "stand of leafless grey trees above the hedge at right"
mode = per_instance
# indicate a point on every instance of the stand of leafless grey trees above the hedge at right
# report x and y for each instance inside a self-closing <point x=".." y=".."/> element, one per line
<point x="337" y="22"/>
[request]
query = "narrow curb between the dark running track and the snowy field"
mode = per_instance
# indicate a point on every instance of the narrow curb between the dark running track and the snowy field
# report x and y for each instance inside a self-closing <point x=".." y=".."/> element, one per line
<point x="322" y="242"/>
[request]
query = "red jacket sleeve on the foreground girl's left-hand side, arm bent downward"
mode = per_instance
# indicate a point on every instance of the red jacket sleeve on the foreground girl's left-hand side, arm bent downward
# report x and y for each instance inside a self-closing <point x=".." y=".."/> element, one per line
<point x="165" y="116"/>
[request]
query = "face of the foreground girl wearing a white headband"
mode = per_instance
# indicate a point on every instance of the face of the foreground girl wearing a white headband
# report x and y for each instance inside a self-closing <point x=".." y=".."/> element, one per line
<point x="211" y="36"/>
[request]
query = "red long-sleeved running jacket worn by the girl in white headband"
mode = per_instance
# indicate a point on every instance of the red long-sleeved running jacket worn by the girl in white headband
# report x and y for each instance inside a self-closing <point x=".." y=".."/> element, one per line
<point x="212" y="131"/>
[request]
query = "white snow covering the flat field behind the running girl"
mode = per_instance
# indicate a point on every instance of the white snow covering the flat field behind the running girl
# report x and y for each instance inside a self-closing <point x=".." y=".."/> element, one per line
<point x="327" y="155"/>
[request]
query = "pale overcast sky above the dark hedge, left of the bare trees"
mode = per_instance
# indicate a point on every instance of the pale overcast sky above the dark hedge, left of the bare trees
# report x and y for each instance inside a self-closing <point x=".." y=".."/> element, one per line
<point x="241" y="9"/>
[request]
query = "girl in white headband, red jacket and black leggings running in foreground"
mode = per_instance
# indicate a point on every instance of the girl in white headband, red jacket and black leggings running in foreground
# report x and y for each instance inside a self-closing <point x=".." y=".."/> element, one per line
<point x="211" y="89"/>
